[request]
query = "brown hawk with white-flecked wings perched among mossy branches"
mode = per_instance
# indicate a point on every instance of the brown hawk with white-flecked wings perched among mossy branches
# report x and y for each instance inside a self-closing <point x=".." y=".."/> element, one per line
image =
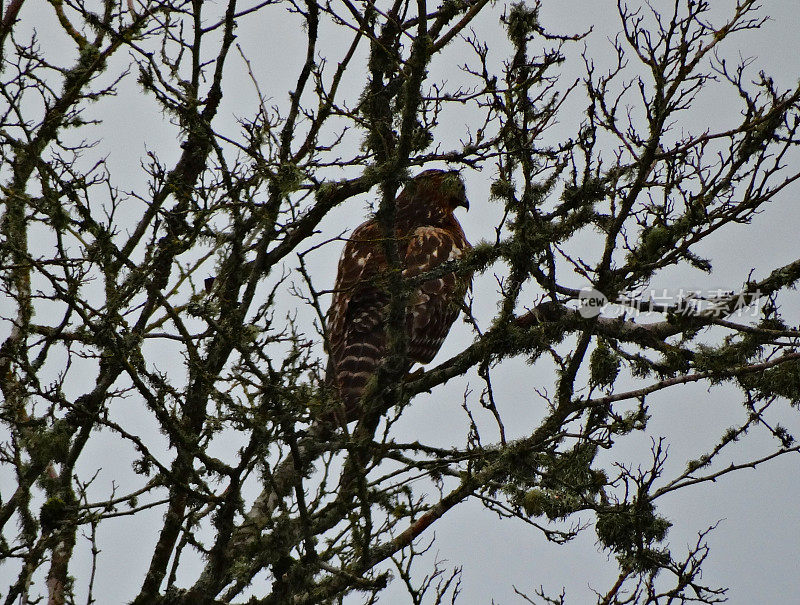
<point x="428" y="235"/>
